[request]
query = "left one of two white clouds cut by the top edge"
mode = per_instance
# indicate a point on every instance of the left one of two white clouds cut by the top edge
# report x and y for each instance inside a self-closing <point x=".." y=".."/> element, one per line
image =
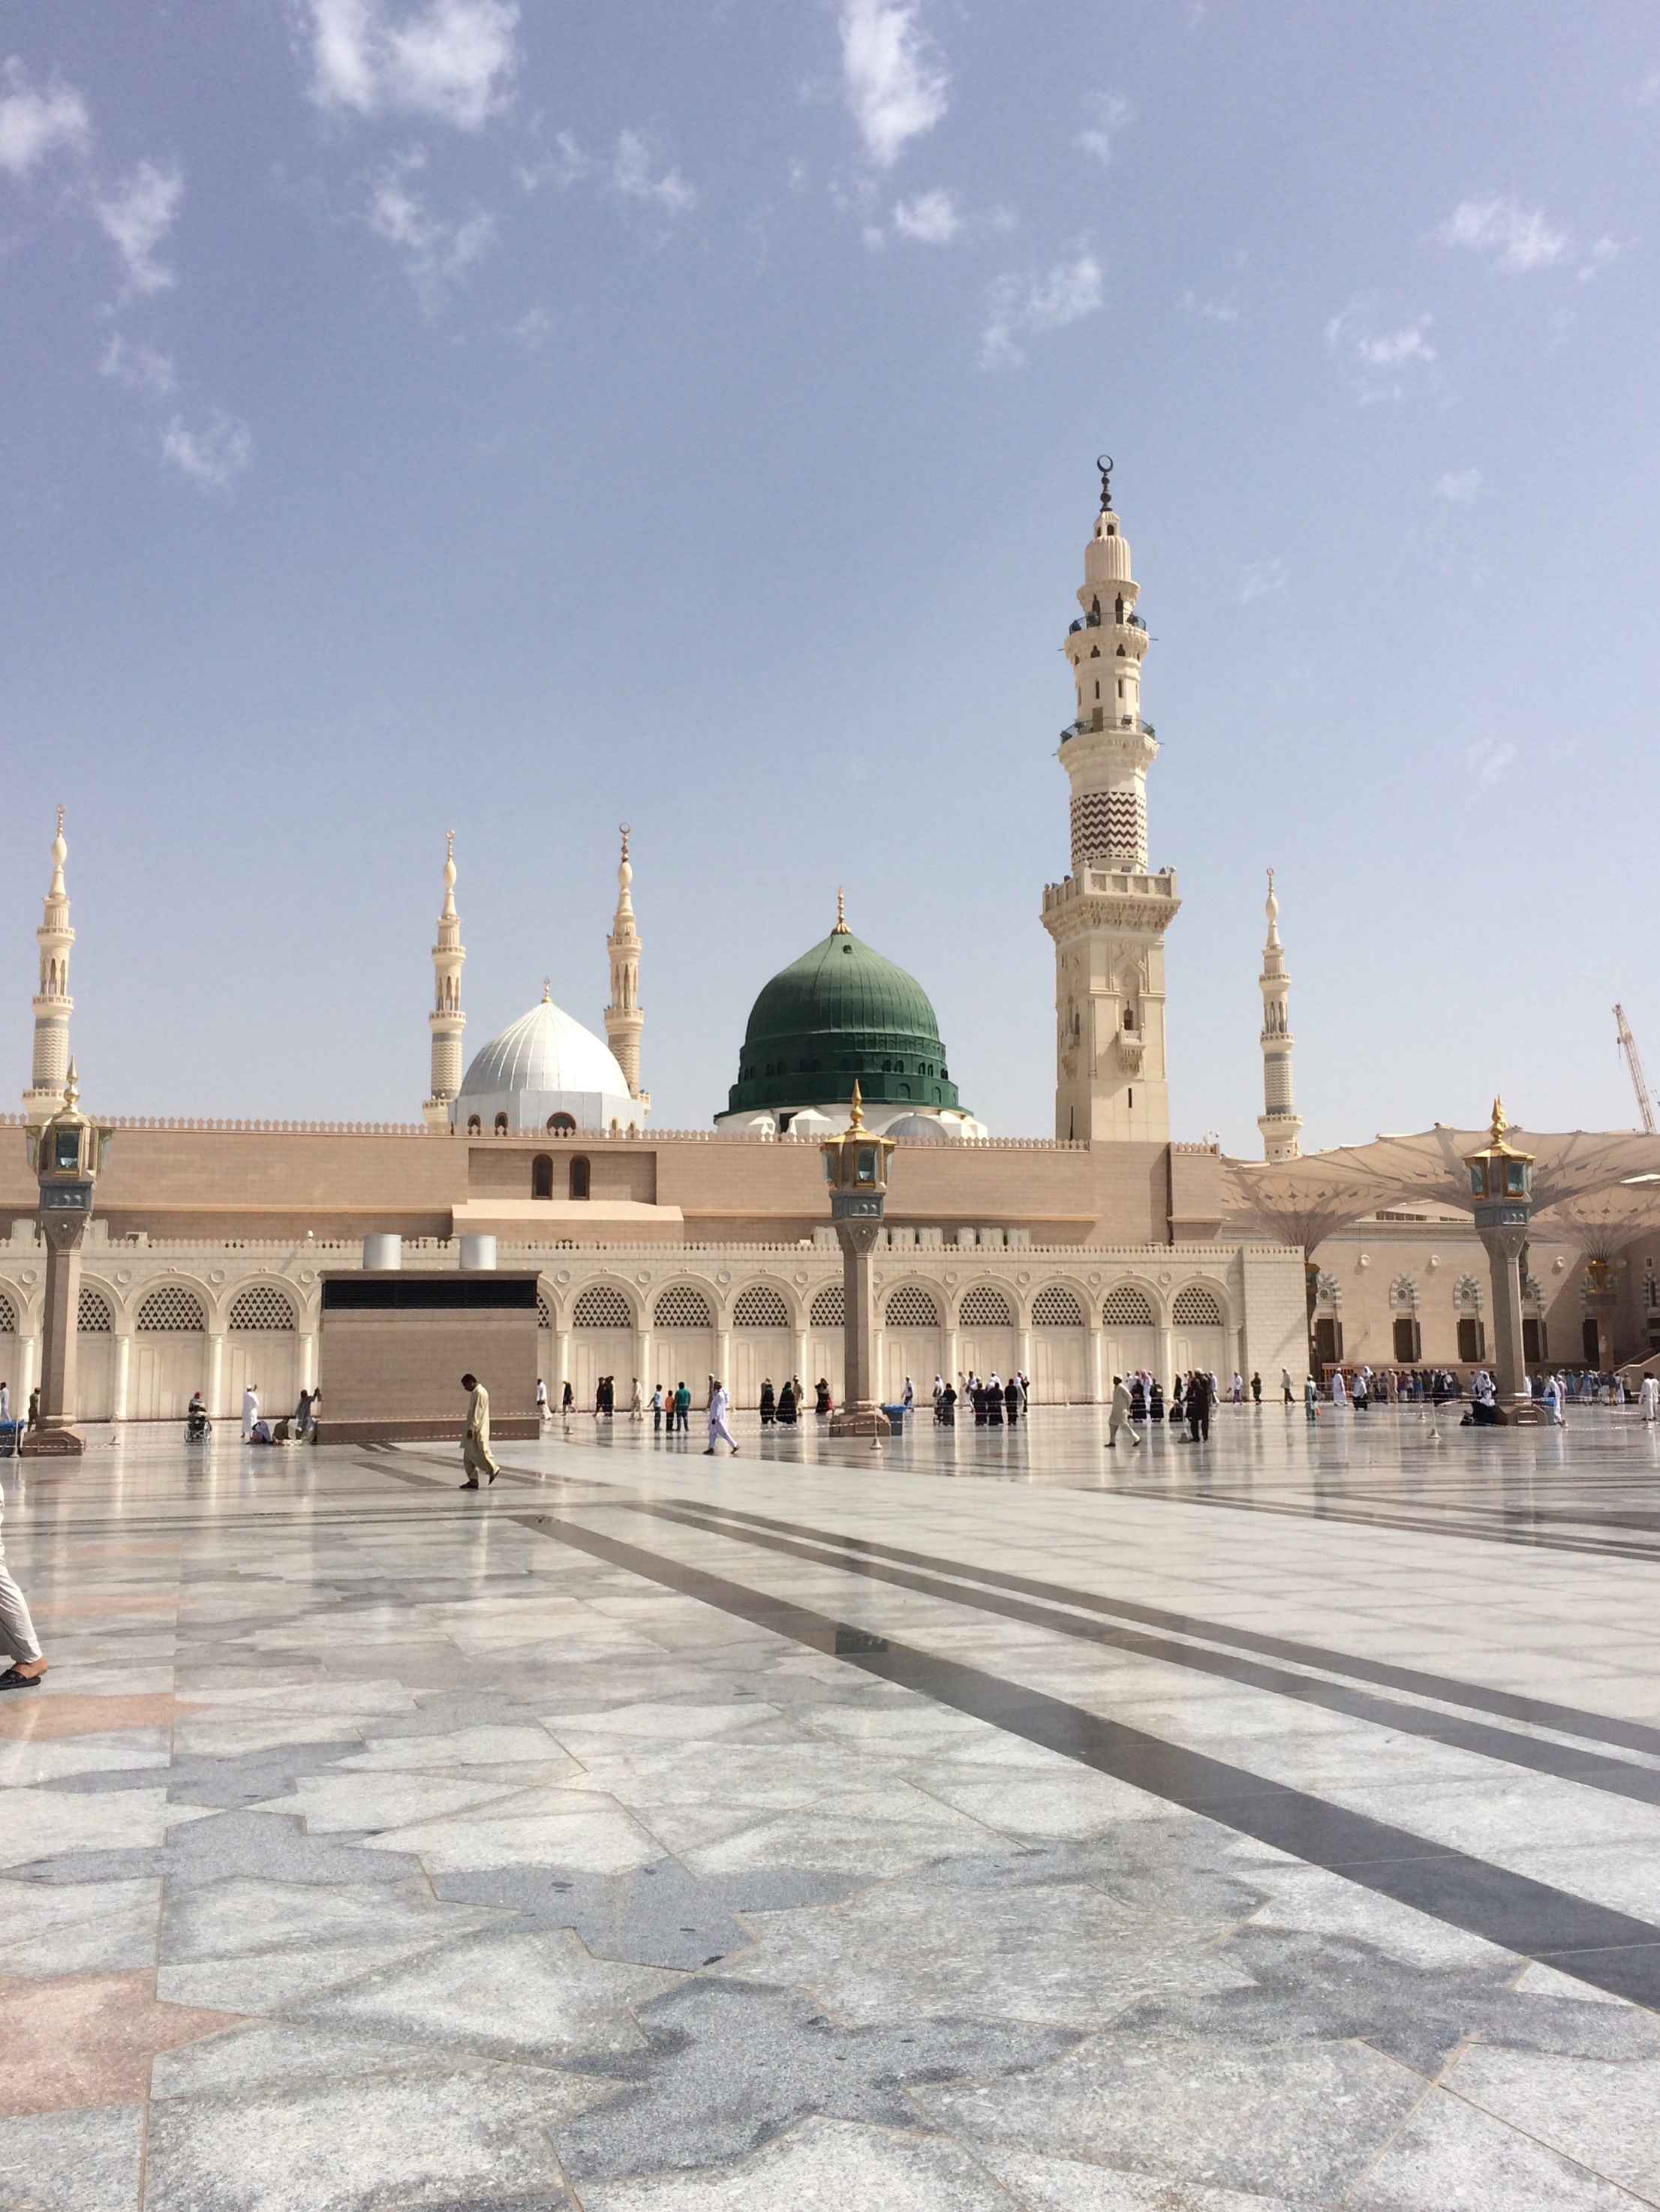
<point x="448" y="59"/>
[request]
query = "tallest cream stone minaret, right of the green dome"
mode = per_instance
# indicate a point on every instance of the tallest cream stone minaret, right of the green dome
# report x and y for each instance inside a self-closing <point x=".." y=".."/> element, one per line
<point x="1110" y="915"/>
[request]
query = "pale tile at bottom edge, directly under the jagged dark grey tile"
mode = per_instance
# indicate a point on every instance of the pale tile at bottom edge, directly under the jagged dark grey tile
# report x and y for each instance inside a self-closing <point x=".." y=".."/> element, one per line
<point x="822" y="2167"/>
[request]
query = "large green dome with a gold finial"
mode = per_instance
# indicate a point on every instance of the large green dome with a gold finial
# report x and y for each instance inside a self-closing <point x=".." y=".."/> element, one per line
<point x="838" y="1016"/>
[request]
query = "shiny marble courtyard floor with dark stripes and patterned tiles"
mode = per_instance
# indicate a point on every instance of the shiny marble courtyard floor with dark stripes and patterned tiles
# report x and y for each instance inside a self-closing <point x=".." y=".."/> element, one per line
<point x="993" y="1822"/>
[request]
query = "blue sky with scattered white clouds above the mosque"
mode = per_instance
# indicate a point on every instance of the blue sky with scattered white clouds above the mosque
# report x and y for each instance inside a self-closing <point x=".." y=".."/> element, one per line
<point x="444" y="415"/>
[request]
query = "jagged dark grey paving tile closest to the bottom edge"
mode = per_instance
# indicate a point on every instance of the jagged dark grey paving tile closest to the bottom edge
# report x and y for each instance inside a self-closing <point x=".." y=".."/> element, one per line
<point x="732" y="2065"/>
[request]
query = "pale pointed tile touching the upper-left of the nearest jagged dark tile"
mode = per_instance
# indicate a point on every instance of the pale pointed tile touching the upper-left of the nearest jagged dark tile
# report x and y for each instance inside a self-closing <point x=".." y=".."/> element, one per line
<point x="535" y="1996"/>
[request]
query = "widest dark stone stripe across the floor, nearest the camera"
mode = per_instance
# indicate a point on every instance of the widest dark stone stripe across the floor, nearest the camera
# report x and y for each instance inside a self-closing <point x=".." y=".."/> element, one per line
<point x="1586" y="1941"/>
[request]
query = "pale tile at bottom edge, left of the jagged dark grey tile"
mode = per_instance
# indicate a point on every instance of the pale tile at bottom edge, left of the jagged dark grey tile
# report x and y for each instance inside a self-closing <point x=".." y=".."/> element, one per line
<point x="437" y="2136"/>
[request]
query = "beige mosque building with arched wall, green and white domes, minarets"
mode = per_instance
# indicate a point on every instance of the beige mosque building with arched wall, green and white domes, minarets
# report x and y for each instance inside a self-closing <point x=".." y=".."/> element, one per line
<point x="678" y="1255"/>
